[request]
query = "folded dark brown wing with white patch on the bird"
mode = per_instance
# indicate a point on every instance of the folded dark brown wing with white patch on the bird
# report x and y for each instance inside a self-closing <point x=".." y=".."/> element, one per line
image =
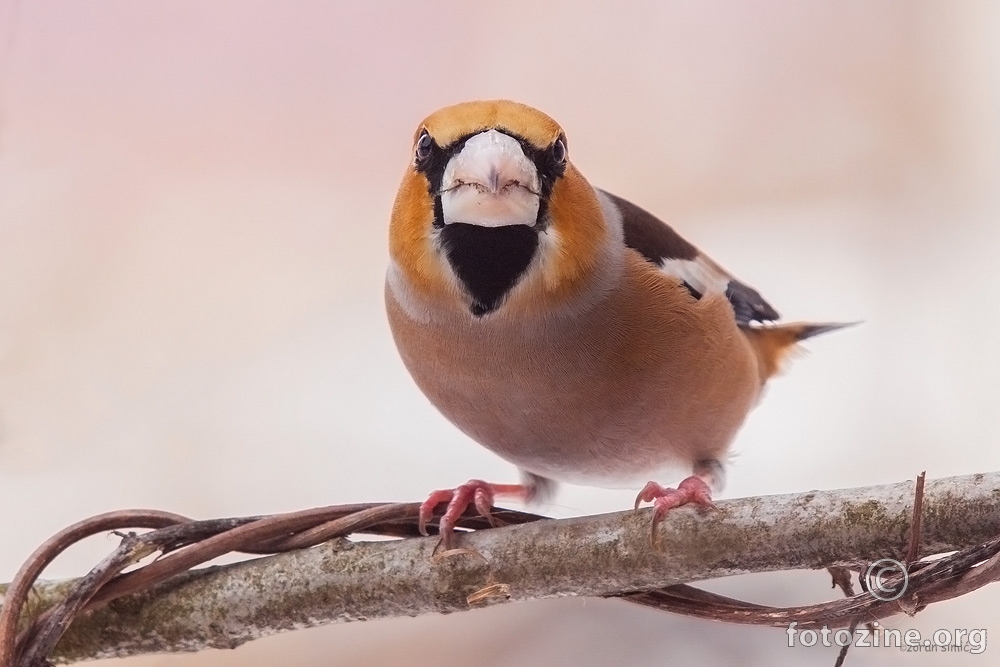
<point x="661" y="245"/>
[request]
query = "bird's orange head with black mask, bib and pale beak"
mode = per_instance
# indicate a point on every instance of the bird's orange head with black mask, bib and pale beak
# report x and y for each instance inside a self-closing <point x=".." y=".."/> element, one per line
<point x="491" y="213"/>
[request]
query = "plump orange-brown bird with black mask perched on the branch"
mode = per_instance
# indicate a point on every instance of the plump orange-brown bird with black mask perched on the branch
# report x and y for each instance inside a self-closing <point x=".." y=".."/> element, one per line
<point x="562" y="327"/>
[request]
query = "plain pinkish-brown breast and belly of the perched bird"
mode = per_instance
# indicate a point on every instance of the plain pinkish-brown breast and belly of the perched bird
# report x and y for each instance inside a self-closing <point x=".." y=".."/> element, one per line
<point x="648" y="377"/>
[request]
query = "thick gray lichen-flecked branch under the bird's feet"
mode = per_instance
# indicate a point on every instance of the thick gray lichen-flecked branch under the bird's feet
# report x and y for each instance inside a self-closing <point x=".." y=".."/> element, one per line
<point x="223" y="607"/>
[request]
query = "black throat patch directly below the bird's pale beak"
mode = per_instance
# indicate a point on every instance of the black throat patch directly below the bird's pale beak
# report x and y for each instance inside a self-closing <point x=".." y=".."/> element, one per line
<point x="488" y="260"/>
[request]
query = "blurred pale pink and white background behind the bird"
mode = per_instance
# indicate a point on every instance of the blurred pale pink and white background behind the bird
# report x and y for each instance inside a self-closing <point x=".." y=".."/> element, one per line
<point x="193" y="207"/>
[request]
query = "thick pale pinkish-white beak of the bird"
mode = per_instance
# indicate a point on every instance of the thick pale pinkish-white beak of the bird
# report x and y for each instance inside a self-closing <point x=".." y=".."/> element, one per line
<point x="490" y="183"/>
